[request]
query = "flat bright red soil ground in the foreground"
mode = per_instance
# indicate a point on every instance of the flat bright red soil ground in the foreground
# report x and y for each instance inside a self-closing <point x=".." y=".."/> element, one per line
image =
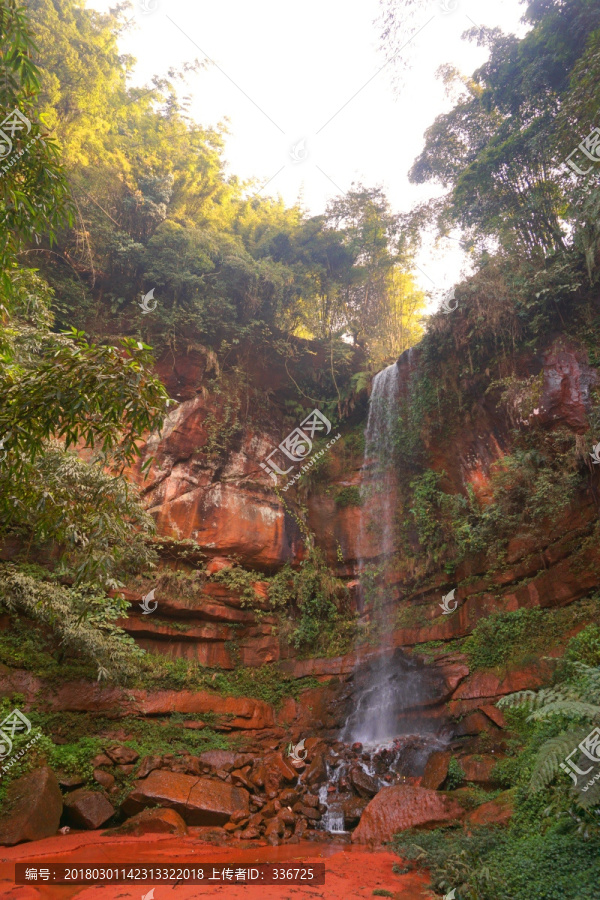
<point x="352" y="873"/>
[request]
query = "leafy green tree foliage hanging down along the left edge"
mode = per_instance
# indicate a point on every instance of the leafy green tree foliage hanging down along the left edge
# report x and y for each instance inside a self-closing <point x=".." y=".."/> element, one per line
<point x="62" y="386"/>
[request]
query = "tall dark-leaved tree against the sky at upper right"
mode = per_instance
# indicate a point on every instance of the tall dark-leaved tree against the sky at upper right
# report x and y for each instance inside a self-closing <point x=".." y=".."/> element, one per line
<point x="497" y="148"/>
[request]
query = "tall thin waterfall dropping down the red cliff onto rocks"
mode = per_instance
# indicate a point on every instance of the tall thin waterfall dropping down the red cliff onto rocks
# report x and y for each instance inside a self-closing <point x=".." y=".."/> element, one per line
<point x="391" y="740"/>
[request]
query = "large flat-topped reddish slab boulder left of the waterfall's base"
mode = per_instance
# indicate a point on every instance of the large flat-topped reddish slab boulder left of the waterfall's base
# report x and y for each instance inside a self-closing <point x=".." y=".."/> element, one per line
<point x="200" y="801"/>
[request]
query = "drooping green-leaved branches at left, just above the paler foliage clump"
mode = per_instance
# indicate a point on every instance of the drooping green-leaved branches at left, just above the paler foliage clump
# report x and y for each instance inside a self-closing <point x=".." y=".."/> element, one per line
<point x="88" y="394"/>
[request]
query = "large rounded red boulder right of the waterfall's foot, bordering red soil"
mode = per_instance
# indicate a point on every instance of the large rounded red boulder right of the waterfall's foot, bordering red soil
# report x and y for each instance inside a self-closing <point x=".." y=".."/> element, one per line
<point x="401" y="807"/>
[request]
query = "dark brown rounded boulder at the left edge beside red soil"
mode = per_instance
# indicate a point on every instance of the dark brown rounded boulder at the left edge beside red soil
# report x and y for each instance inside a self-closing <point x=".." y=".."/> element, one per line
<point x="33" y="807"/>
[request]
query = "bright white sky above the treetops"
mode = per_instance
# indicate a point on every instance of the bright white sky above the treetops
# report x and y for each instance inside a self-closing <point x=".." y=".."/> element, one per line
<point x="308" y="97"/>
